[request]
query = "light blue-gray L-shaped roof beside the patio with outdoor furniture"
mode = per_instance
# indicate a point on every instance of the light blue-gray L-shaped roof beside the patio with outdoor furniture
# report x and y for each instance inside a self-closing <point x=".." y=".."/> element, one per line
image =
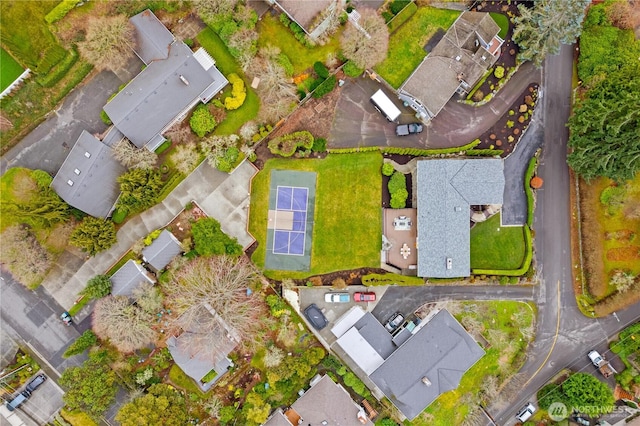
<point x="446" y="190"/>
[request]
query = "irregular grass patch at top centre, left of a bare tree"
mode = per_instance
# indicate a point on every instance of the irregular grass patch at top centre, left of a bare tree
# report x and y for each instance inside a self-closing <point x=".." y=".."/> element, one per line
<point x="273" y="32"/>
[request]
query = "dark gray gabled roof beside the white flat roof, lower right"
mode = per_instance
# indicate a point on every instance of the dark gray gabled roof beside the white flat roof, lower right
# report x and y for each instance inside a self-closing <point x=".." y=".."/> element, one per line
<point x="442" y="351"/>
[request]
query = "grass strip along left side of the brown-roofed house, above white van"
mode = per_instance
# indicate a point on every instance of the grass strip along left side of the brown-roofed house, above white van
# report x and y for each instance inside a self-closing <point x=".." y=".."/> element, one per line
<point x="406" y="45"/>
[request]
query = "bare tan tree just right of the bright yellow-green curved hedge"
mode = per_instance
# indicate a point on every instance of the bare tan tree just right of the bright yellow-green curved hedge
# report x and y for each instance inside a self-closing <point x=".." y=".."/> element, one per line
<point x="277" y="93"/>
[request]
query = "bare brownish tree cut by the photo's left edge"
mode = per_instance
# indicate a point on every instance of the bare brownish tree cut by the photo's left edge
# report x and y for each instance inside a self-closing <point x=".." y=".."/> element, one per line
<point x="23" y="256"/>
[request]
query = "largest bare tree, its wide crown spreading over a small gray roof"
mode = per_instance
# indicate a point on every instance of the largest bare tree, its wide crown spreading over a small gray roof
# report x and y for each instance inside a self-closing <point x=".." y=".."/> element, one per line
<point x="217" y="283"/>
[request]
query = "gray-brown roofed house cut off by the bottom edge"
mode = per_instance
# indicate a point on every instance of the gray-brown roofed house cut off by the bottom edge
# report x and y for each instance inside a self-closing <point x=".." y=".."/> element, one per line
<point x="325" y="403"/>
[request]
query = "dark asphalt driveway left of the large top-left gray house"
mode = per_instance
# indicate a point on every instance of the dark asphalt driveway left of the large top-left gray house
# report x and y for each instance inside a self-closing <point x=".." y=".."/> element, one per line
<point x="47" y="146"/>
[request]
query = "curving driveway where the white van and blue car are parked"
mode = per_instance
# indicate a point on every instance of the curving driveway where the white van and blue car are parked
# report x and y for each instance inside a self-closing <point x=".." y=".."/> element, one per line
<point x="357" y="123"/>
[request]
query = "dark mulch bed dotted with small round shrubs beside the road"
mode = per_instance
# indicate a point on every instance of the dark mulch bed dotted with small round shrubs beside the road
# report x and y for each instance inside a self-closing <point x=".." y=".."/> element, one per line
<point x="497" y="137"/>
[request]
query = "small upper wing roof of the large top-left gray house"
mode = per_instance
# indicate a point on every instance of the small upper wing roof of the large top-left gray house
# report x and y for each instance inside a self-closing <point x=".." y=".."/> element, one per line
<point x="153" y="38"/>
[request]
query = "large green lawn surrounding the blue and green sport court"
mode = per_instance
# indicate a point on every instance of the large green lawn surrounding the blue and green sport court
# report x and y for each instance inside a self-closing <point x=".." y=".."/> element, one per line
<point x="348" y="217"/>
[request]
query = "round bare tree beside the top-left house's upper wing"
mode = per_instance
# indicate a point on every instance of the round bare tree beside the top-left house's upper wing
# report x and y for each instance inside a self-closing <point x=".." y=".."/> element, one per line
<point x="109" y="41"/>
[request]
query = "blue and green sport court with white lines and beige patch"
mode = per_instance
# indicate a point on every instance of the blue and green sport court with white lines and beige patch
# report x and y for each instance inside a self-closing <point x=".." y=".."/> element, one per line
<point x="290" y="223"/>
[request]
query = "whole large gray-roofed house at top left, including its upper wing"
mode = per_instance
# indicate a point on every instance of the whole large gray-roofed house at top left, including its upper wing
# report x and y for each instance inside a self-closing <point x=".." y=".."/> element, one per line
<point x="174" y="81"/>
